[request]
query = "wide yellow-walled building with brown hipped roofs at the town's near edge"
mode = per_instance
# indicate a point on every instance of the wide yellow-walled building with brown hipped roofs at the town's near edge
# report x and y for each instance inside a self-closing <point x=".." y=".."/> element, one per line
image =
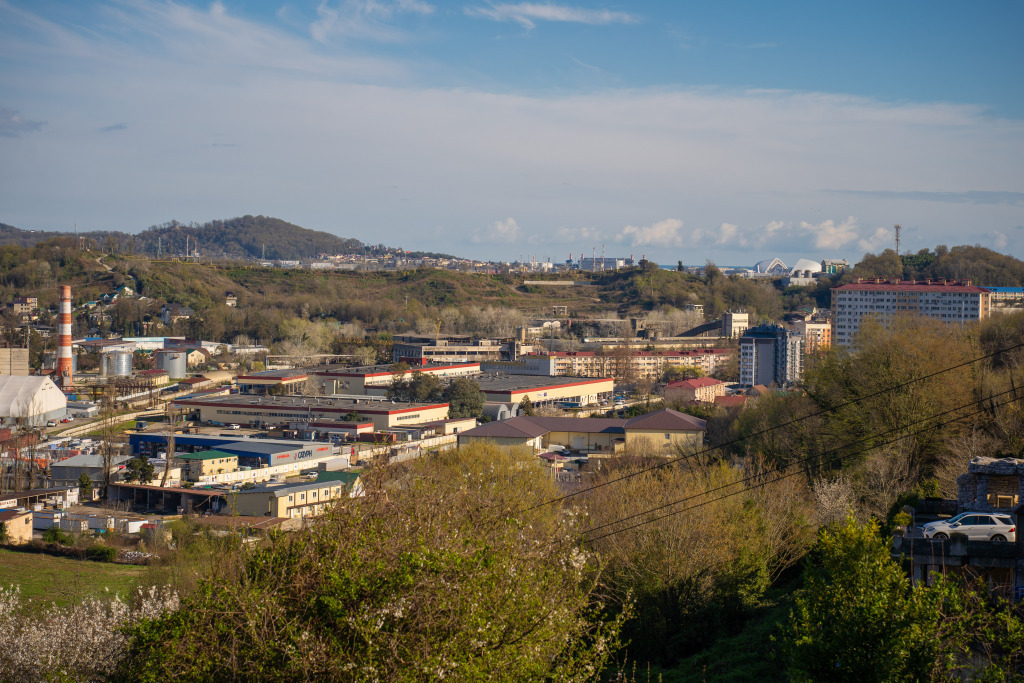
<point x="665" y="431"/>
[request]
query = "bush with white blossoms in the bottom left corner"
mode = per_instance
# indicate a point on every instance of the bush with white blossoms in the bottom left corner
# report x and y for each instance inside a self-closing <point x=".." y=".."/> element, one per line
<point x="81" y="643"/>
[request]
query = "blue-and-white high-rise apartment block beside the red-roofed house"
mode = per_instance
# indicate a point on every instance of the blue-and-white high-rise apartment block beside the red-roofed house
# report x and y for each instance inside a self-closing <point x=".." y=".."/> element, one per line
<point x="772" y="355"/>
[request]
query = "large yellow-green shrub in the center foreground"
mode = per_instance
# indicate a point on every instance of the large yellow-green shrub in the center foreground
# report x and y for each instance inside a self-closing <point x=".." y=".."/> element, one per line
<point x="441" y="582"/>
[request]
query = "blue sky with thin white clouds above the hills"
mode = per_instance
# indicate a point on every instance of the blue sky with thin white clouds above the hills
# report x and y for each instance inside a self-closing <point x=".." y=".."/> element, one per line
<point x="682" y="132"/>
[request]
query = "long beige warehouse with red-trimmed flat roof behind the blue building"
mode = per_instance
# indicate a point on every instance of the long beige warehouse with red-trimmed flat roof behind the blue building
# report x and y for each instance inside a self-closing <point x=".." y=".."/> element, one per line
<point x="282" y="411"/>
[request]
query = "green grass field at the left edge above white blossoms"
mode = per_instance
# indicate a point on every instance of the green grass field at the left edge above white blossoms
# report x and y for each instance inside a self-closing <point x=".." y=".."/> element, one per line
<point x="46" y="579"/>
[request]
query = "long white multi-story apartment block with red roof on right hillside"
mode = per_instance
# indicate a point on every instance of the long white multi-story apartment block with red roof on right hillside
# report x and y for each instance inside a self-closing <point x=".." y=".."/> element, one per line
<point x="948" y="301"/>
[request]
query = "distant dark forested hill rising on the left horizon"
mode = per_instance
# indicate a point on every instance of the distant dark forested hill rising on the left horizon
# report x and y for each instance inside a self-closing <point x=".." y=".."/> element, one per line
<point x="244" y="238"/>
